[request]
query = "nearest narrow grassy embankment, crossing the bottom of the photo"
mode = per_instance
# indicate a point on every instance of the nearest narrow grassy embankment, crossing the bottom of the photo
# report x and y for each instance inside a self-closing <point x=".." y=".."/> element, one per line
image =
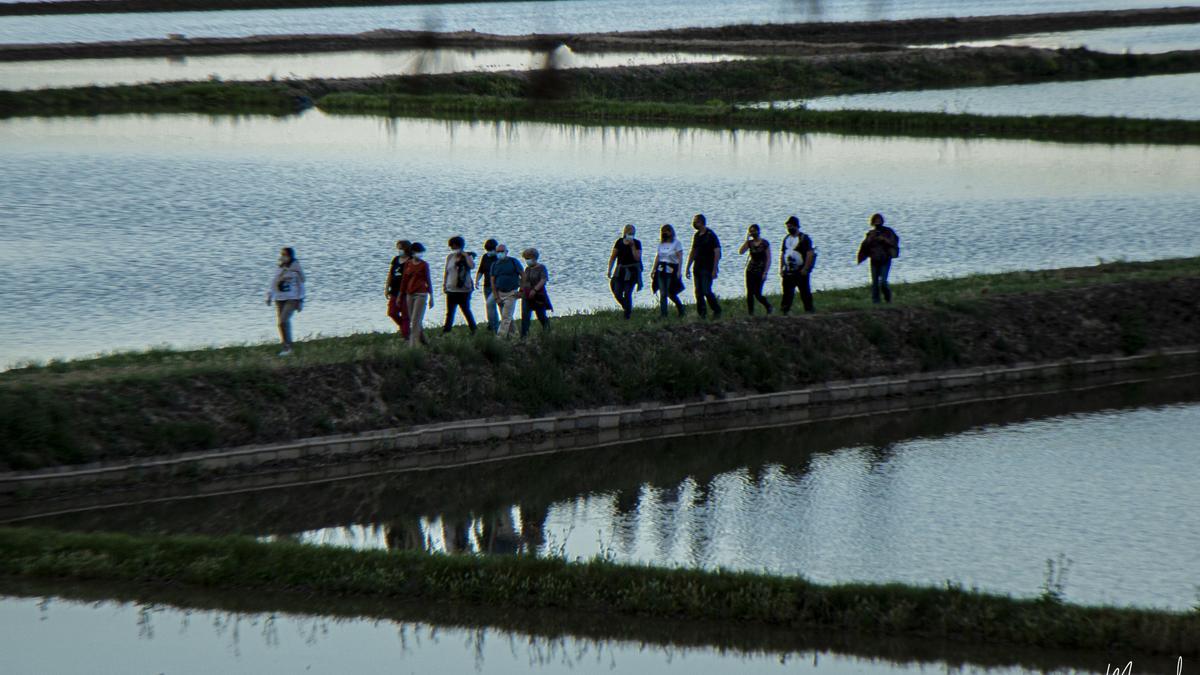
<point x="598" y="587"/>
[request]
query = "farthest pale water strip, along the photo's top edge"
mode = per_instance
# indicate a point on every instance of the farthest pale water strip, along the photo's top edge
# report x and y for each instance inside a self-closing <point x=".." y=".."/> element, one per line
<point x="519" y="19"/>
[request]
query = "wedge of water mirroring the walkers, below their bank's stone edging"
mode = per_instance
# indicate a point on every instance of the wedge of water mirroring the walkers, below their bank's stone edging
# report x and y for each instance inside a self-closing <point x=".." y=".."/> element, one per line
<point x="1102" y="483"/>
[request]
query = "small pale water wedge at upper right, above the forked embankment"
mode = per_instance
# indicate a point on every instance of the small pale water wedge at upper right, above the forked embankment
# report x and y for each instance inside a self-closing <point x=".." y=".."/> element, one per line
<point x="1141" y="40"/>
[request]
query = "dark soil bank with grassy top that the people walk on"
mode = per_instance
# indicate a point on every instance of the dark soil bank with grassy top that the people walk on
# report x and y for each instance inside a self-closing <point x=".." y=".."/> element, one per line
<point x="71" y="421"/>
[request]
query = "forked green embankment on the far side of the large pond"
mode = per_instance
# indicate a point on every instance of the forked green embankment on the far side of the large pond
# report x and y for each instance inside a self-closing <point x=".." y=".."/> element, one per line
<point x="677" y="95"/>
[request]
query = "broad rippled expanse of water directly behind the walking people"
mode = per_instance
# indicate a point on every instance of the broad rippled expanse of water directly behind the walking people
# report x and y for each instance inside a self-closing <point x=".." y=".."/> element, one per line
<point x="125" y="232"/>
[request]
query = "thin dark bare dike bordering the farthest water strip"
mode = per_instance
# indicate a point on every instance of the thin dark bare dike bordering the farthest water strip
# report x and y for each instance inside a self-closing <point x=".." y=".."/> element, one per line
<point x="754" y="40"/>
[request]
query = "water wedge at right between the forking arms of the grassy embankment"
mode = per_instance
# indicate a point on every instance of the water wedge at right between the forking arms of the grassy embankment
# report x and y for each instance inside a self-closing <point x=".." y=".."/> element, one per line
<point x="1167" y="97"/>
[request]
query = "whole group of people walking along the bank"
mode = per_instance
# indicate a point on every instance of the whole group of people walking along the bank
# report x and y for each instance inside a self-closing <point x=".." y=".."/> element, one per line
<point x="506" y="279"/>
